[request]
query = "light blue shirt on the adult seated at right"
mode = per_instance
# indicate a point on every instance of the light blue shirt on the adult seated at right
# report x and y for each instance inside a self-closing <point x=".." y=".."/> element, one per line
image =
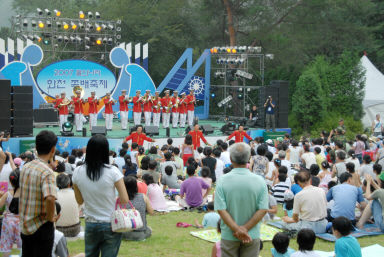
<point x="345" y="197"/>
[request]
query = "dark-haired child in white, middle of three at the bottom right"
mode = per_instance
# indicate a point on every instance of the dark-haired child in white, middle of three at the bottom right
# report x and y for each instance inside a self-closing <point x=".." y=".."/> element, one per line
<point x="306" y="239"/>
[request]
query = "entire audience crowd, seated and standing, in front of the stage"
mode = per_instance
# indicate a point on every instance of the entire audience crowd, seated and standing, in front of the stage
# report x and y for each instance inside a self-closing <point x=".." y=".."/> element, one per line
<point x="324" y="185"/>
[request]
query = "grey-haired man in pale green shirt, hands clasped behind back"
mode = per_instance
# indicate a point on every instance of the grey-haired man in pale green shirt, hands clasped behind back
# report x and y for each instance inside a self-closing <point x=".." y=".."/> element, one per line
<point x="241" y="198"/>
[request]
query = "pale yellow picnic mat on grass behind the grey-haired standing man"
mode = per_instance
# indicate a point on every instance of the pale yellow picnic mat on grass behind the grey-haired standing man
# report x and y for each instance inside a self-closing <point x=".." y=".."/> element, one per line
<point x="211" y="235"/>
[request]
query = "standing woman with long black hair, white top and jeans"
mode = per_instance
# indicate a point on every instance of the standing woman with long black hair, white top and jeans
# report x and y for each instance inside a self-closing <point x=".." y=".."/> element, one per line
<point x="94" y="184"/>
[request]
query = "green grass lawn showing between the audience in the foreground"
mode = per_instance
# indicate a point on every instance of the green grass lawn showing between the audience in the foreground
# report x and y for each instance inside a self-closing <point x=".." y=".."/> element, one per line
<point x="168" y="240"/>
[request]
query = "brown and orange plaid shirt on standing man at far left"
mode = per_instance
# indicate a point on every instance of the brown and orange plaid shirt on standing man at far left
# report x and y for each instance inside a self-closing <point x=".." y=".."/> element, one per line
<point x="37" y="182"/>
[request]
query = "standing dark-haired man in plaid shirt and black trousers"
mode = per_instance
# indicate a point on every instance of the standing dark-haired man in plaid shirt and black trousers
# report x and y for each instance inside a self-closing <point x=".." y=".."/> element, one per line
<point x="37" y="199"/>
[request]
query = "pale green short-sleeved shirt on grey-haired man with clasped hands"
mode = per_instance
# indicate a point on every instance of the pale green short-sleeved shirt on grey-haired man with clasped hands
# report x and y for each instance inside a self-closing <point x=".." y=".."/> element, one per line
<point x="241" y="193"/>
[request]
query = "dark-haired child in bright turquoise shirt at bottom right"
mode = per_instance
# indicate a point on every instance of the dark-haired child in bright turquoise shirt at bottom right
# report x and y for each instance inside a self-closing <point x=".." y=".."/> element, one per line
<point x="346" y="245"/>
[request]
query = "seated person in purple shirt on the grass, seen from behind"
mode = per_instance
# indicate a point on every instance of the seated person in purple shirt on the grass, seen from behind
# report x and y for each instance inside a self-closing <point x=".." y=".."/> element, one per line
<point x="191" y="190"/>
